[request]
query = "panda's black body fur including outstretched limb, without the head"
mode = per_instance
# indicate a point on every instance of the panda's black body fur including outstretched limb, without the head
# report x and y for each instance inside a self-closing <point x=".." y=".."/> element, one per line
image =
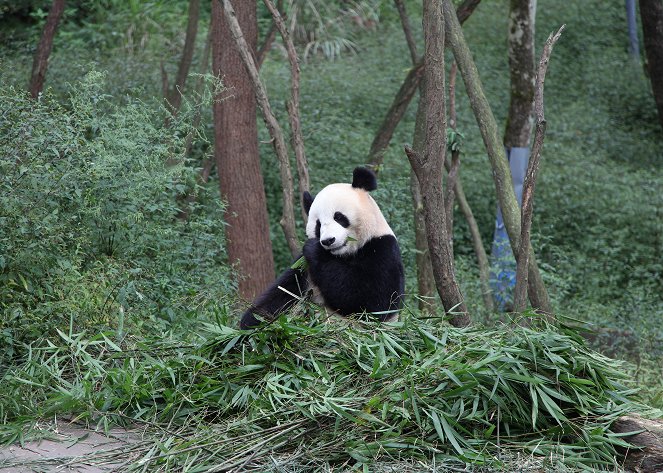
<point x="372" y="280"/>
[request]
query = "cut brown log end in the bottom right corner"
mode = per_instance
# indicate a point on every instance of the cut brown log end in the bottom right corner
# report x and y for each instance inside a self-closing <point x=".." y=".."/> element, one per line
<point x="649" y="458"/>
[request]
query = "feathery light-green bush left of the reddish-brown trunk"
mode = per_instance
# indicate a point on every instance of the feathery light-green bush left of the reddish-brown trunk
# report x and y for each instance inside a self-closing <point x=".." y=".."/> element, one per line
<point x="88" y="230"/>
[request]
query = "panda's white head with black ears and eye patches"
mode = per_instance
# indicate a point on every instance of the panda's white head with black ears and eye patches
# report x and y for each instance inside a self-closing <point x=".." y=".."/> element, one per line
<point x="343" y="217"/>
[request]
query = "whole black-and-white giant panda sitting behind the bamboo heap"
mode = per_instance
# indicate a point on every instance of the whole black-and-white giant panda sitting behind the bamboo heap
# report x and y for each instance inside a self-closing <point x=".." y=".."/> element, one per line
<point x="352" y="259"/>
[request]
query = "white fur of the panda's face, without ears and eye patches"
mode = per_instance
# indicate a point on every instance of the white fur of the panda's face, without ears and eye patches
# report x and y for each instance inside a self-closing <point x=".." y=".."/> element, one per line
<point x="366" y="219"/>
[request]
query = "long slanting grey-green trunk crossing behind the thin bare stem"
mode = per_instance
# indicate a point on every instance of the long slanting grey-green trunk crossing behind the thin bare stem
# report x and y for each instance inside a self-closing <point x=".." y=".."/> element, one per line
<point x="501" y="173"/>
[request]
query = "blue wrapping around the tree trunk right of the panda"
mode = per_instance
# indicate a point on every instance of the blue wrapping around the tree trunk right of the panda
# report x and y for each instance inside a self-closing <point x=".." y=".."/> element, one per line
<point x="503" y="267"/>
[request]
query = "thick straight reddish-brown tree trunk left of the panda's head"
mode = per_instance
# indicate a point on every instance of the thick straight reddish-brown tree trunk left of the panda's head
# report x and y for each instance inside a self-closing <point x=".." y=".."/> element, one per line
<point x="236" y="152"/>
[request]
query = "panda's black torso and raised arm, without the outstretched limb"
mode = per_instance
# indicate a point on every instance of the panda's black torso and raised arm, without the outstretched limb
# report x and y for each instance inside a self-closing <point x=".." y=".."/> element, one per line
<point x="372" y="280"/>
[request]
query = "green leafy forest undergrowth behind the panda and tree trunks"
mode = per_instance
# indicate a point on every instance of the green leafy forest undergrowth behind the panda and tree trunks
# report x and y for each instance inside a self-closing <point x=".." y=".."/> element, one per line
<point x="90" y="241"/>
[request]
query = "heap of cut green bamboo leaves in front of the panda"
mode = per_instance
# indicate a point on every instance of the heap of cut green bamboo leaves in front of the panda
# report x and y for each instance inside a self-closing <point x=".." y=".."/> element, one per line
<point x="350" y="392"/>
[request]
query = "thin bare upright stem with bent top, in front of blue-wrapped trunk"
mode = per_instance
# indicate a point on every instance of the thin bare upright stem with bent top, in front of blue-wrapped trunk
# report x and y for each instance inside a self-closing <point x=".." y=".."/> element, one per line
<point x="520" y="292"/>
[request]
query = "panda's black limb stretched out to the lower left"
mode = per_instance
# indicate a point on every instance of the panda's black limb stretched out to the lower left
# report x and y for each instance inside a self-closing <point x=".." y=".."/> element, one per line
<point x="274" y="301"/>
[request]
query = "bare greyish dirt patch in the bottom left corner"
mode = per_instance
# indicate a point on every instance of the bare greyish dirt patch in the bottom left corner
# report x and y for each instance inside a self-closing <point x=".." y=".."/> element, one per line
<point x="71" y="448"/>
